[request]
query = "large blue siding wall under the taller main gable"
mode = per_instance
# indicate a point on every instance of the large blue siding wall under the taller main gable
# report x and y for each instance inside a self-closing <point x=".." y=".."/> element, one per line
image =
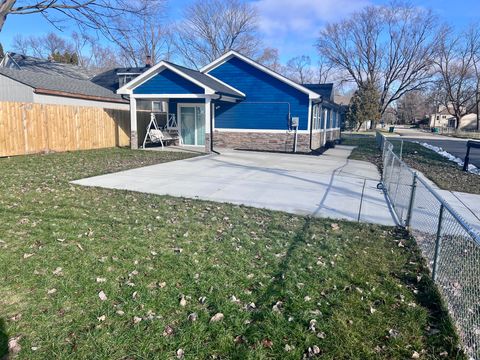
<point x="261" y="89"/>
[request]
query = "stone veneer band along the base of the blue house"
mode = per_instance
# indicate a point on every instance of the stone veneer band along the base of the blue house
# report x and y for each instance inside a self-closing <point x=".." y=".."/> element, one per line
<point x="268" y="141"/>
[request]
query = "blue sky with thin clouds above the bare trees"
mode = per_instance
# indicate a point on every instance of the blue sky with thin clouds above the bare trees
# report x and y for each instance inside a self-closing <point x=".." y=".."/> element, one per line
<point x="291" y="26"/>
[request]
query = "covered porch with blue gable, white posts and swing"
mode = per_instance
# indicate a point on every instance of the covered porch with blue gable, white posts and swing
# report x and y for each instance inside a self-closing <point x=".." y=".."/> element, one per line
<point x="175" y="106"/>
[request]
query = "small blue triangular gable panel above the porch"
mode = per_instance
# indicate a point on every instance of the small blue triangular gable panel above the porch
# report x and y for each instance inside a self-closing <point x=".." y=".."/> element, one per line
<point x="168" y="82"/>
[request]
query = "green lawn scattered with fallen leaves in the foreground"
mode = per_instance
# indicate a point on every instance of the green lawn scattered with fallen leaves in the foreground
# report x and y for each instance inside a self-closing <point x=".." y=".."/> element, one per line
<point x="89" y="273"/>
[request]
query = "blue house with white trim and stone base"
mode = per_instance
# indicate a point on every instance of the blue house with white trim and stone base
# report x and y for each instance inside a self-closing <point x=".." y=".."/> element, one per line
<point x="235" y="102"/>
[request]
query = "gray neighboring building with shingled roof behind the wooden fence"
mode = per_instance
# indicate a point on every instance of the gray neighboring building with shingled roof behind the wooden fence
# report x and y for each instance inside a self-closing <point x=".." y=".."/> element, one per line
<point x="28" y="79"/>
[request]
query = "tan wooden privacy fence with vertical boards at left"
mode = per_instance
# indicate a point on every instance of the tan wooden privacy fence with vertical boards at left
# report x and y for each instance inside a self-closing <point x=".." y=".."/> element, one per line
<point x="27" y="128"/>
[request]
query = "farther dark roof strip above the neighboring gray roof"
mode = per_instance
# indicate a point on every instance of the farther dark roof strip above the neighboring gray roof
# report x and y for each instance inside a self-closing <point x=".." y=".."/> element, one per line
<point x="23" y="62"/>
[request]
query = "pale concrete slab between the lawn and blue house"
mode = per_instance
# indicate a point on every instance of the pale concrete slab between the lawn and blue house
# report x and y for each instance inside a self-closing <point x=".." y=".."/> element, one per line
<point x="329" y="185"/>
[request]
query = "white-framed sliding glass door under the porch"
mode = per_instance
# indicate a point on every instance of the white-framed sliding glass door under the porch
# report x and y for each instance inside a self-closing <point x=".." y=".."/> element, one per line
<point x="192" y="124"/>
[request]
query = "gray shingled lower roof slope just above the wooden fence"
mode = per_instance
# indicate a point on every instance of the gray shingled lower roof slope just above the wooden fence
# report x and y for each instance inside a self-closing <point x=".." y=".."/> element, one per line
<point x="43" y="83"/>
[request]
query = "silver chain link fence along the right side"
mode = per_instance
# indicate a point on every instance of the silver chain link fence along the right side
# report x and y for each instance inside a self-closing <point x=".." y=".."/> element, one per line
<point x="448" y="243"/>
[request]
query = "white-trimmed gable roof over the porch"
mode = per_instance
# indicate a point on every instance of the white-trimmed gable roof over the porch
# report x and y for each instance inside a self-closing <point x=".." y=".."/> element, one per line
<point x="205" y="81"/>
